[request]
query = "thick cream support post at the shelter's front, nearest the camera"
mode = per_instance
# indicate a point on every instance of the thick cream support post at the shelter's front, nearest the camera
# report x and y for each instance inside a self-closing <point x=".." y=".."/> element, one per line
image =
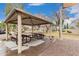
<point x="19" y="34"/>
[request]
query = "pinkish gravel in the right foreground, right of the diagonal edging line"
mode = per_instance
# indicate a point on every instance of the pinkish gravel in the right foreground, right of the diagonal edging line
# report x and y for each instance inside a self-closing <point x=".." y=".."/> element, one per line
<point x="63" y="48"/>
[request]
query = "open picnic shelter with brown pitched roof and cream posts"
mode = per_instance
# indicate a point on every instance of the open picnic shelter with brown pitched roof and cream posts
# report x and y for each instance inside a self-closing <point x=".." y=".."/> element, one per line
<point x="20" y="17"/>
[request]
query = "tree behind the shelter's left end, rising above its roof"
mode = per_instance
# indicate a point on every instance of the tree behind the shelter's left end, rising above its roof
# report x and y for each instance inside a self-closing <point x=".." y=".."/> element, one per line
<point x="9" y="7"/>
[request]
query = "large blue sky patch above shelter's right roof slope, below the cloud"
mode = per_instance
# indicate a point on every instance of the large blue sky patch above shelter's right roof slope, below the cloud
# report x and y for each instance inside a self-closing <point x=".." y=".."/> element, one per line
<point x="45" y="9"/>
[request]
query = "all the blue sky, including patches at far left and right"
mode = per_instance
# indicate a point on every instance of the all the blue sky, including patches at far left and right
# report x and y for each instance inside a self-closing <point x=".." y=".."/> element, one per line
<point x="44" y="9"/>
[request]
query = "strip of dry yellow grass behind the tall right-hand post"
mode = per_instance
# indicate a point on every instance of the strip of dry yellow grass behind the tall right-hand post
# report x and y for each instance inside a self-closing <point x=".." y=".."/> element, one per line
<point x="66" y="35"/>
